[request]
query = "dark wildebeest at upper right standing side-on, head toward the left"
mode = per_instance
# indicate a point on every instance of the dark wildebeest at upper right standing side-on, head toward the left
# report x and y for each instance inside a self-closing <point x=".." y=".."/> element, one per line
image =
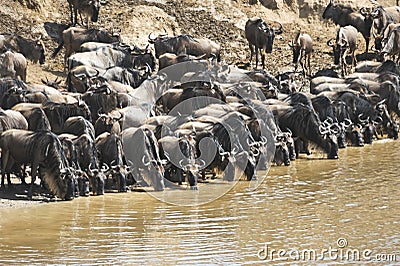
<point x="344" y="15"/>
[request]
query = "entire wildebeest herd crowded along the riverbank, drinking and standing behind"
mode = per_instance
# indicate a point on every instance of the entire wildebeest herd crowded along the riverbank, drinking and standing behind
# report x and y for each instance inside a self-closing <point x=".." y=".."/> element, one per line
<point x="118" y="123"/>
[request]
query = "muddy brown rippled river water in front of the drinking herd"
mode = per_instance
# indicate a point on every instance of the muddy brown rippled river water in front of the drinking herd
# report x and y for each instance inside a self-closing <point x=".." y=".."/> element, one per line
<point x="350" y="204"/>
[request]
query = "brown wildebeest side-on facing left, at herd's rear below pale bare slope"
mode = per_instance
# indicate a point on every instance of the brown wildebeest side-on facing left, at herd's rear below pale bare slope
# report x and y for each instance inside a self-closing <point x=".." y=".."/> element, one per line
<point x="185" y="44"/>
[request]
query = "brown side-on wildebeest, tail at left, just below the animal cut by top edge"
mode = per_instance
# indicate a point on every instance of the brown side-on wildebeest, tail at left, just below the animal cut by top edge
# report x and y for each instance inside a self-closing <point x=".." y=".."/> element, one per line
<point x="73" y="37"/>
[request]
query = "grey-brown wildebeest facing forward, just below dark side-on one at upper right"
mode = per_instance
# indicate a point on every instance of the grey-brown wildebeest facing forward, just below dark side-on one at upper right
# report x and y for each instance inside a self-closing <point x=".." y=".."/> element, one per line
<point x="346" y="42"/>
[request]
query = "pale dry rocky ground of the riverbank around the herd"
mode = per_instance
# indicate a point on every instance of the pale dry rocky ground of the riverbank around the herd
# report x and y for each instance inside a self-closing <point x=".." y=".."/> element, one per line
<point x="220" y="20"/>
